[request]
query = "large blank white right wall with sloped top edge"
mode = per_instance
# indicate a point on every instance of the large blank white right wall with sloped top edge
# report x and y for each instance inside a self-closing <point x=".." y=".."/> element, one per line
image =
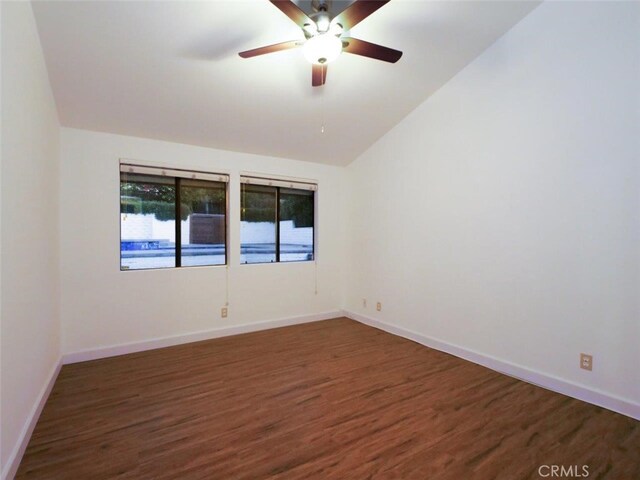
<point x="503" y="214"/>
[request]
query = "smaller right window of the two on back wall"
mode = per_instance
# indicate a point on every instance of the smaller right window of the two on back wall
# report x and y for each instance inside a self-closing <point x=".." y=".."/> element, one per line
<point x="277" y="221"/>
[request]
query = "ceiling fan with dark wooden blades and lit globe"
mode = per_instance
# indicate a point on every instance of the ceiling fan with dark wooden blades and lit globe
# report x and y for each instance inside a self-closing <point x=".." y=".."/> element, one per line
<point x="323" y="35"/>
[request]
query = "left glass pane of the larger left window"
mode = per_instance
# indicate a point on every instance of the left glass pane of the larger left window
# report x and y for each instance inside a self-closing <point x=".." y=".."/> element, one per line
<point x="147" y="222"/>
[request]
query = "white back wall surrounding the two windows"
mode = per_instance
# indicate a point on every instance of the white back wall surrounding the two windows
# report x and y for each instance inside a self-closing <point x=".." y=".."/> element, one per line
<point x="102" y="306"/>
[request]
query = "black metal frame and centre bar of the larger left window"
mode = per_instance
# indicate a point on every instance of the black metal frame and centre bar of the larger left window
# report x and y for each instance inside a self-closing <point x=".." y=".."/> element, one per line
<point x="177" y="183"/>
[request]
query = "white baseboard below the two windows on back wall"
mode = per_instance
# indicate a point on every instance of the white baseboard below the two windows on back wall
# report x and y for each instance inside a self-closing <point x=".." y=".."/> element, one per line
<point x="113" y="350"/>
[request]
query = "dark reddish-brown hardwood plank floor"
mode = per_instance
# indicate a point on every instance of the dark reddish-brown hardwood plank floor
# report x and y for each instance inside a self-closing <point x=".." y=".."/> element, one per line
<point x="332" y="399"/>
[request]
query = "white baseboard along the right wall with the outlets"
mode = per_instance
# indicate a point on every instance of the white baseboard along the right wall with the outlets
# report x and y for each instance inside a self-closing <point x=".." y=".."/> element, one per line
<point x="550" y="382"/>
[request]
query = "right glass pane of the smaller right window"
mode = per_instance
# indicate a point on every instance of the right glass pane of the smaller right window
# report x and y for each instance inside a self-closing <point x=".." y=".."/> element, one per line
<point x="296" y="225"/>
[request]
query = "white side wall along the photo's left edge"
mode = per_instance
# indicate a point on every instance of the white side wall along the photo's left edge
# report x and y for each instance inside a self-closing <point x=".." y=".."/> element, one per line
<point x="30" y="157"/>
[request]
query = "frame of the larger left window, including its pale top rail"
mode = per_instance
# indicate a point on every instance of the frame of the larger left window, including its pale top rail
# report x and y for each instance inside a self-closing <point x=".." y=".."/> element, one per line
<point x="177" y="215"/>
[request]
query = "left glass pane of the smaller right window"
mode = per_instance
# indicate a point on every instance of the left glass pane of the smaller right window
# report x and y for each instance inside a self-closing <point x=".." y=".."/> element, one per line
<point x="258" y="224"/>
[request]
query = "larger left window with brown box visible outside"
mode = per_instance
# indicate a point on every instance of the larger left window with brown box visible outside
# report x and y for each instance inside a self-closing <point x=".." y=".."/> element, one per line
<point x="171" y="218"/>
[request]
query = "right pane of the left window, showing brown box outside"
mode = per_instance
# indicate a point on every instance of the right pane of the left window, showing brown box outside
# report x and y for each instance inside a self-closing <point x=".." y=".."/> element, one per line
<point x="203" y="228"/>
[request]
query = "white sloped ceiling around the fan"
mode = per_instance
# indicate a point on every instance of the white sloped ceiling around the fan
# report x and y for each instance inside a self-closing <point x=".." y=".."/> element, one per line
<point x="170" y="71"/>
